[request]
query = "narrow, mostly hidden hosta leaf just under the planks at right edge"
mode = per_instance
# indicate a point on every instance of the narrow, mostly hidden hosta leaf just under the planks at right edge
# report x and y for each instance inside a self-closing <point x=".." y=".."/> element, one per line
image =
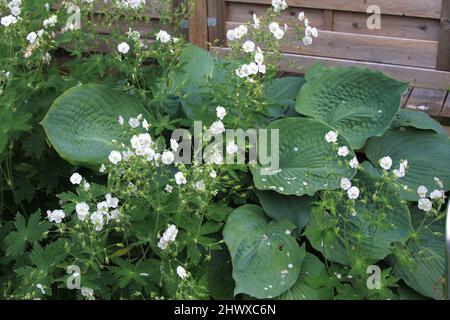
<point x="416" y="119"/>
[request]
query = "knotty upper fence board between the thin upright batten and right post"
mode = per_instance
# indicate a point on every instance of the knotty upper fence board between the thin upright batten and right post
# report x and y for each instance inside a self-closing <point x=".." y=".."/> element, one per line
<point x="391" y="26"/>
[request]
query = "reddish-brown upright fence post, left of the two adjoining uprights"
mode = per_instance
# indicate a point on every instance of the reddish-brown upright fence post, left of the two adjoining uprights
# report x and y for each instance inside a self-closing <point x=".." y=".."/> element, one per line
<point x="198" y="25"/>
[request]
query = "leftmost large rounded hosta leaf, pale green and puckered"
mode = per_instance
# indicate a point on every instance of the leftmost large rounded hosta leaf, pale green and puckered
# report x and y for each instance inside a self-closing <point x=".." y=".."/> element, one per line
<point x="82" y="122"/>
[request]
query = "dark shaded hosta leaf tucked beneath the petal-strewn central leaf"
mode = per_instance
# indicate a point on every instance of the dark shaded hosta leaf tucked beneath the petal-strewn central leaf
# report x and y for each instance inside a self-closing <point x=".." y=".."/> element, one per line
<point x="293" y="208"/>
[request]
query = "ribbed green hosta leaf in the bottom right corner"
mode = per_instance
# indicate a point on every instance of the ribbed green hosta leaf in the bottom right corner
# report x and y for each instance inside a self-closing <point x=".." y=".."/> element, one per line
<point x="422" y="263"/>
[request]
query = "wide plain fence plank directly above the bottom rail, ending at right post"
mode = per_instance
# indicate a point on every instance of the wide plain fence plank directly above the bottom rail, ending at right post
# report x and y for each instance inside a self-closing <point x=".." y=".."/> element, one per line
<point x="407" y="52"/>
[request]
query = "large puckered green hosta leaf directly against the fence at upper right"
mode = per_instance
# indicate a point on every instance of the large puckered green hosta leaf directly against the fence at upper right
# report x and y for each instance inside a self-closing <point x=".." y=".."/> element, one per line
<point x="359" y="103"/>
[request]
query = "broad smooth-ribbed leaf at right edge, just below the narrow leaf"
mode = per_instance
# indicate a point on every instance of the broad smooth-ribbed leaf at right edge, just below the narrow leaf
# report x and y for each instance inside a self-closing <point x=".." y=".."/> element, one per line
<point x="427" y="152"/>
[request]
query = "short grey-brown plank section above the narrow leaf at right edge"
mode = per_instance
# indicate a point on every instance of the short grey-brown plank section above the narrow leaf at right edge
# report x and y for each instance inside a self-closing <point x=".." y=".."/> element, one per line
<point x="427" y="100"/>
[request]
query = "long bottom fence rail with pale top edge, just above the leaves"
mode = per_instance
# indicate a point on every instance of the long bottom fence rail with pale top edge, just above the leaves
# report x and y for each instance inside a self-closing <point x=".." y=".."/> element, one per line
<point x="421" y="77"/>
